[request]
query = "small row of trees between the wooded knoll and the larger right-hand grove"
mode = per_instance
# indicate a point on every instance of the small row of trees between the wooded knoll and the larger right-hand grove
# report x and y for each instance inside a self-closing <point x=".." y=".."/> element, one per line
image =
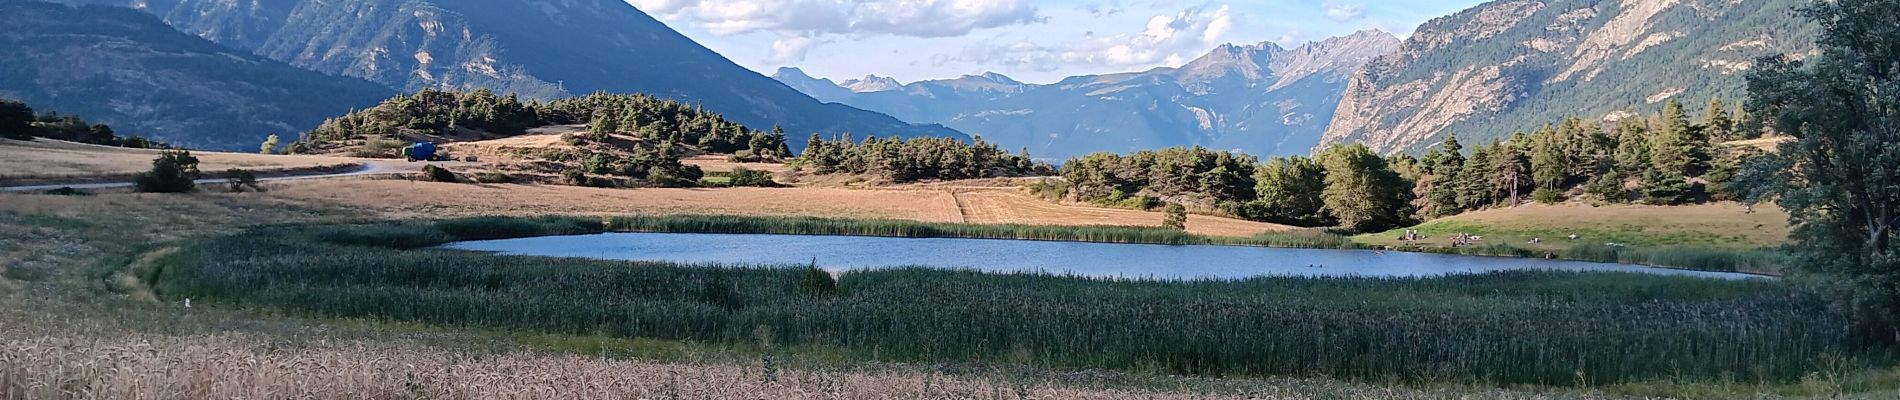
<point x="907" y="160"/>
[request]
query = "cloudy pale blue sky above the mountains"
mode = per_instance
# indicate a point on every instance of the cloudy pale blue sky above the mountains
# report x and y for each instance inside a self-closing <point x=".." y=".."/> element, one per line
<point x="1036" y="43"/>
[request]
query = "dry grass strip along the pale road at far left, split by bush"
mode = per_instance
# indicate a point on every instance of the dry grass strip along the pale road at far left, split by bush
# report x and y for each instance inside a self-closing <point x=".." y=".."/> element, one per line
<point x="54" y="160"/>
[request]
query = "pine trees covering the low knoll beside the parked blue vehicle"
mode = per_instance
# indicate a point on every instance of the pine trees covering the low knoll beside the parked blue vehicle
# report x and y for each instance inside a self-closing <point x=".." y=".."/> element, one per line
<point x="444" y="113"/>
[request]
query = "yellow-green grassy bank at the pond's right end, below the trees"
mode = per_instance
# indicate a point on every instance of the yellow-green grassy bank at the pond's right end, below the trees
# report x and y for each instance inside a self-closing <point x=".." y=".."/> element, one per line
<point x="1705" y="227"/>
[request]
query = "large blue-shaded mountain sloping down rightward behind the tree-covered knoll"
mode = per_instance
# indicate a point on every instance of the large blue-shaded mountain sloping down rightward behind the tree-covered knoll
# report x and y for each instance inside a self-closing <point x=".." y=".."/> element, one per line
<point x="537" y="48"/>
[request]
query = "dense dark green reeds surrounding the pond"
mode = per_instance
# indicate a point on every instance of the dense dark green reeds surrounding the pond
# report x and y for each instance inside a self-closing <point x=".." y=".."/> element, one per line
<point x="1525" y="327"/>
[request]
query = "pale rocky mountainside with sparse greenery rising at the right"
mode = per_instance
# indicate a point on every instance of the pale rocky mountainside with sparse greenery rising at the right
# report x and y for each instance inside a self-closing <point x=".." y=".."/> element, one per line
<point x="1517" y="65"/>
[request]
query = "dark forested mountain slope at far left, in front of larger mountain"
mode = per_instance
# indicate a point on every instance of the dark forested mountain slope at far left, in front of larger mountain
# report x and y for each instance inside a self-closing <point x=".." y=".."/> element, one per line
<point x="143" y="77"/>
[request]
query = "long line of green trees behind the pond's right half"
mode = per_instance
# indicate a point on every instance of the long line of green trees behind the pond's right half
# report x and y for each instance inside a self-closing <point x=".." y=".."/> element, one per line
<point x="1663" y="160"/>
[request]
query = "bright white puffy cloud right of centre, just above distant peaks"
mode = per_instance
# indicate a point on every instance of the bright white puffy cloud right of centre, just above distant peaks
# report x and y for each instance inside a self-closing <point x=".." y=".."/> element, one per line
<point x="1164" y="41"/>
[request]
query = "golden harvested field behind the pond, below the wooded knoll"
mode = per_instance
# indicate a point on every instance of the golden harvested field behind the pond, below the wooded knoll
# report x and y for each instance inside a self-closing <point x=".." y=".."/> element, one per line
<point x="409" y="200"/>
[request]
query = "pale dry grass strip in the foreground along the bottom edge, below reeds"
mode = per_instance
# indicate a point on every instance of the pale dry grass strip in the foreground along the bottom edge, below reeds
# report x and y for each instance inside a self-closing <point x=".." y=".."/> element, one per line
<point x="246" y="367"/>
